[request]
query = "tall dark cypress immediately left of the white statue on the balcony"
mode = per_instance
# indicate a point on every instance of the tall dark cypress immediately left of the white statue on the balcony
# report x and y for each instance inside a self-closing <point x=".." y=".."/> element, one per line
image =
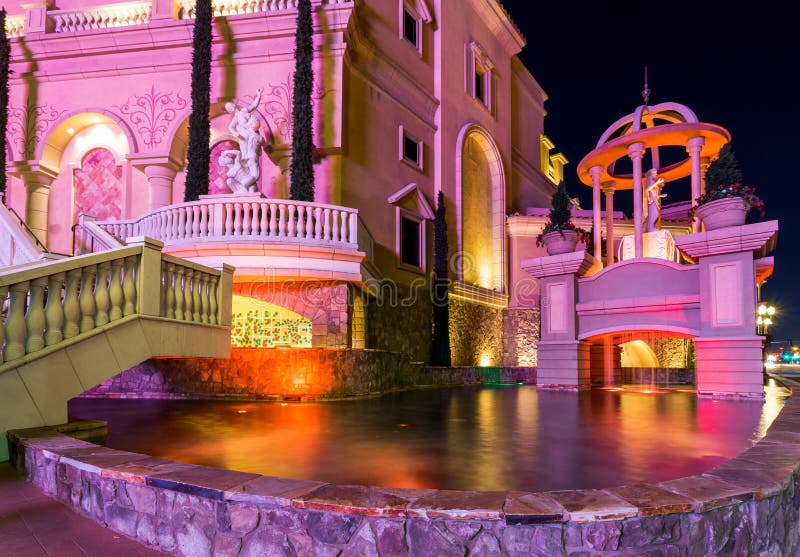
<point x="199" y="153"/>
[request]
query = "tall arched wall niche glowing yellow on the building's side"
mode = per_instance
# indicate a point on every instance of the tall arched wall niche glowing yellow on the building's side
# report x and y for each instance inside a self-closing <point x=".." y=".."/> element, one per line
<point x="480" y="183"/>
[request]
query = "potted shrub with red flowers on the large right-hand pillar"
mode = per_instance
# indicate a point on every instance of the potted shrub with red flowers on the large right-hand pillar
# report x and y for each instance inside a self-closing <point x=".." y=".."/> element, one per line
<point x="726" y="201"/>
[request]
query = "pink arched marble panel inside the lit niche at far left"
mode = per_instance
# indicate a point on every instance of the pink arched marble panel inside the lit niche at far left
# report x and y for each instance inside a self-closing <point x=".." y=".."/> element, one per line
<point x="98" y="186"/>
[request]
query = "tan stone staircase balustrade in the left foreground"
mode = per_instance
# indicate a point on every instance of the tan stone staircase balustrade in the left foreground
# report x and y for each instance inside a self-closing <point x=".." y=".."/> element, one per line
<point x="46" y="304"/>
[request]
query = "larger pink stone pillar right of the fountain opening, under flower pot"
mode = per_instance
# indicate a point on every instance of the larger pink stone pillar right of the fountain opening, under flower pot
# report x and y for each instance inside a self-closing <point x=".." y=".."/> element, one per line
<point x="728" y="351"/>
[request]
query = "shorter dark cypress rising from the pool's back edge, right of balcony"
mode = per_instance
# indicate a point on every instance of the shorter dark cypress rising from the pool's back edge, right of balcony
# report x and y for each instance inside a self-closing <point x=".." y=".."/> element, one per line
<point x="440" y="341"/>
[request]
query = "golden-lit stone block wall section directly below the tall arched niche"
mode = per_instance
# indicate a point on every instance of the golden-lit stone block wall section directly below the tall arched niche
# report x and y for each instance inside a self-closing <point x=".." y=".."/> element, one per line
<point x="476" y="334"/>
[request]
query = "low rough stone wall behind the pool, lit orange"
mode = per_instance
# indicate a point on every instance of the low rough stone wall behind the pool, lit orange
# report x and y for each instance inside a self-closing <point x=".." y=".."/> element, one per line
<point x="277" y="373"/>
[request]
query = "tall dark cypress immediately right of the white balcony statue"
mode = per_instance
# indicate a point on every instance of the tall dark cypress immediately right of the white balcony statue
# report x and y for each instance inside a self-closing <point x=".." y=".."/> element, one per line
<point x="302" y="170"/>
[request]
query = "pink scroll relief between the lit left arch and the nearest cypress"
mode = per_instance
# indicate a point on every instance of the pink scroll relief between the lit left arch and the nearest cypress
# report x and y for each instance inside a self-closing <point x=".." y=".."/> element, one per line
<point x="151" y="114"/>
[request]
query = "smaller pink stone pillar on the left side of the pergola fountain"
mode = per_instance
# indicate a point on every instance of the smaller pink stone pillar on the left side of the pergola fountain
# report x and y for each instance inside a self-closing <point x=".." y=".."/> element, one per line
<point x="563" y="359"/>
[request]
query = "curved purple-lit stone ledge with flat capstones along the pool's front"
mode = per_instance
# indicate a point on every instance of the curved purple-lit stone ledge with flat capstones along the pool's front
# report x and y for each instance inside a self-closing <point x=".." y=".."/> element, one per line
<point x="748" y="505"/>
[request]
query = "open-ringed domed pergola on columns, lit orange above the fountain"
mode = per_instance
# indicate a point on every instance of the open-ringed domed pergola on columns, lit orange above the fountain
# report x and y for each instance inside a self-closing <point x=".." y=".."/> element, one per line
<point x="648" y="127"/>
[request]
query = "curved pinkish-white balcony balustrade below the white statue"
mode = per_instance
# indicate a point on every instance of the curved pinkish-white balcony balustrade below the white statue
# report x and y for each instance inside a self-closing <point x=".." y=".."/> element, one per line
<point x="233" y="219"/>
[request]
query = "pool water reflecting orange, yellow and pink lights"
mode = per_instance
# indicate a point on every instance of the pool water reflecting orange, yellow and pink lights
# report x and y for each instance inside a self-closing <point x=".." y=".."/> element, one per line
<point x="490" y="438"/>
